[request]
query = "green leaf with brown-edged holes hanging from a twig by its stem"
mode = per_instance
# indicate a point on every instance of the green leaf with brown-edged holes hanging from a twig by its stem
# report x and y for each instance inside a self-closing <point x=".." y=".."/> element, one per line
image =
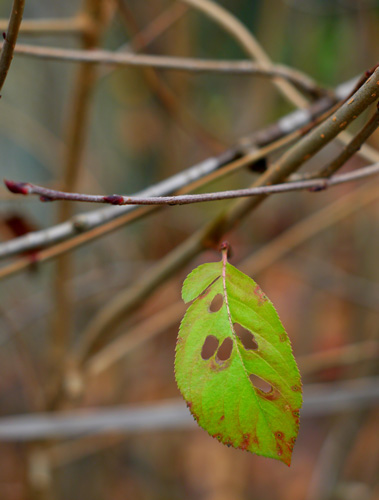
<point x="234" y="363"/>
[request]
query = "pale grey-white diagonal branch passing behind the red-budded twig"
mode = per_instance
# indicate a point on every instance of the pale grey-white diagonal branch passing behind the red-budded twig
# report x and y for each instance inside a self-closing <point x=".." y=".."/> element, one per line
<point x="113" y="217"/>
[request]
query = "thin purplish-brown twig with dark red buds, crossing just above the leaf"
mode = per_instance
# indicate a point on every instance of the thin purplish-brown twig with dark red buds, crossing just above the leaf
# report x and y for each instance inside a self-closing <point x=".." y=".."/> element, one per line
<point x="320" y="184"/>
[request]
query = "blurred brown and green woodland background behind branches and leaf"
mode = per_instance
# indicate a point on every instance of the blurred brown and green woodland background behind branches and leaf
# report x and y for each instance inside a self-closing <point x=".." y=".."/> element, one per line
<point x="142" y="127"/>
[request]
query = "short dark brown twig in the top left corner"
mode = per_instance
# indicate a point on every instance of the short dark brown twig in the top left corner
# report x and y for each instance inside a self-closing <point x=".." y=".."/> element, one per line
<point x="9" y="43"/>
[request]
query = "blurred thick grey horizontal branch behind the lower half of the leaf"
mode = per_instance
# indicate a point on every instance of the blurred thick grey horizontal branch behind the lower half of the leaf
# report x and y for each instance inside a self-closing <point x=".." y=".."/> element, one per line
<point x="319" y="400"/>
